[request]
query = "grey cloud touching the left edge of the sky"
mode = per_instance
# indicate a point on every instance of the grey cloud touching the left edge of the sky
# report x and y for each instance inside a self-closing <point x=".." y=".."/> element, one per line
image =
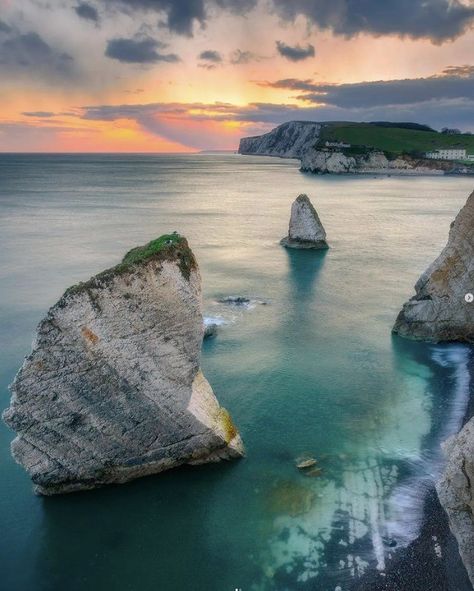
<point x="30" y="53"/>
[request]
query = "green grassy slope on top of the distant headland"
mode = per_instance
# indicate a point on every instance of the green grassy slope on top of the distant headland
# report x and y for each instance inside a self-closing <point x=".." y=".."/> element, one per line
<point x="396" y="140"/>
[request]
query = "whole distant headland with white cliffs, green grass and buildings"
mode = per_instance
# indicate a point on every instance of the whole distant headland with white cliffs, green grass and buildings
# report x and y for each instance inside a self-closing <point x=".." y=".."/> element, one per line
<point x="372" y="148"/>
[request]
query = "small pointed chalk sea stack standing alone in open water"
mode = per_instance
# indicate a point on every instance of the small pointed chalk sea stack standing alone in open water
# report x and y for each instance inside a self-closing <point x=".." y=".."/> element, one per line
<point x="306" y="229"/>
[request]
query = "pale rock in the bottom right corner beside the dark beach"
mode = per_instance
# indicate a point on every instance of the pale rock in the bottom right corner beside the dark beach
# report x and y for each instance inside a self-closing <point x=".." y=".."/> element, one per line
<point x="456" y="493"/>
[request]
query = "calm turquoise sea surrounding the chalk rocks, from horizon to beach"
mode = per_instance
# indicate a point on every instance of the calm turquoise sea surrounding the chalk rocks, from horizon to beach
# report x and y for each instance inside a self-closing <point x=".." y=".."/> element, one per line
<point x="316" y="371"/>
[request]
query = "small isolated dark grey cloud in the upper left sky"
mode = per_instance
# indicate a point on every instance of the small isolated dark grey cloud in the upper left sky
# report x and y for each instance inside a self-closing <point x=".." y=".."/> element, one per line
<point x="138" y="51"/>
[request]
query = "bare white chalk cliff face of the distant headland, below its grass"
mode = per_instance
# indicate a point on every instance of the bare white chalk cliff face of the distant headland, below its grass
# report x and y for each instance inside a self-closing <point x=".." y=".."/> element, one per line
<point x="302" y="140"/>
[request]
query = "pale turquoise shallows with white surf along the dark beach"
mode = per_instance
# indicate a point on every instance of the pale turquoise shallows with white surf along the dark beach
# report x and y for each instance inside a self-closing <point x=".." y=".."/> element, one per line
<point x="328" y="530"/>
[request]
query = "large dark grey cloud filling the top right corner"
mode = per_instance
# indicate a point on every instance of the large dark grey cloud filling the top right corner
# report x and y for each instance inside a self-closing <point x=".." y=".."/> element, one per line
<point x="438" y="20"/>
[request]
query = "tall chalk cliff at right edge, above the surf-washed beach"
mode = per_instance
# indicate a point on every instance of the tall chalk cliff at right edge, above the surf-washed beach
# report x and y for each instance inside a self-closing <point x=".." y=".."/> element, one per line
<point x="439" y="311"/>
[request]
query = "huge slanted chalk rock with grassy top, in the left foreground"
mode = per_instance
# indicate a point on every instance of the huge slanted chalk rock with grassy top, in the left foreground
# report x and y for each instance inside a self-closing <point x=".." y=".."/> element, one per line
<point x="112" y="389"/>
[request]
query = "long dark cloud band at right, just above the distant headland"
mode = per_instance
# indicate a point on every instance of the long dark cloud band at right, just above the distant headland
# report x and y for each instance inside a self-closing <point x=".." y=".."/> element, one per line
<point x="454" y="83"/>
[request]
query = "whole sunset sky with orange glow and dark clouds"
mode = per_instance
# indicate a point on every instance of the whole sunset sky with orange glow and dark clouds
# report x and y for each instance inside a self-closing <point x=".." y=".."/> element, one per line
<point x="190" y="75"/>
